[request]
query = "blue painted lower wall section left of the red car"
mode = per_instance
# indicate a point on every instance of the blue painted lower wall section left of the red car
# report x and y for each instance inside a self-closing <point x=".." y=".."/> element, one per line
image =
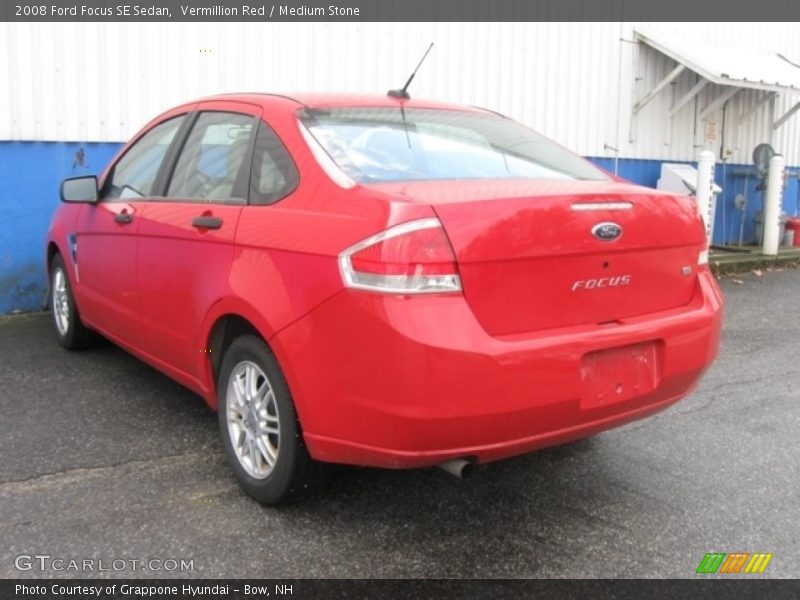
<point x="31" y="173"/>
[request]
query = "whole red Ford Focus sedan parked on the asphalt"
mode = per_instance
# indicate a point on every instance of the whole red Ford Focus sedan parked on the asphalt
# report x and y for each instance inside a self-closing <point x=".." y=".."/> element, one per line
<point x="383" y="281"/>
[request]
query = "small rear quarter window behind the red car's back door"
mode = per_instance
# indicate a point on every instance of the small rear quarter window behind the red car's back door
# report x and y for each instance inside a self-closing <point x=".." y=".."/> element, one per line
<point x="274" y="175"/>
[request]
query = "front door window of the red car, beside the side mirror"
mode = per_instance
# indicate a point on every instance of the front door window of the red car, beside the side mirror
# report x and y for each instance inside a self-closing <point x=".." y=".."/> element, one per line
<point x="135" y="173"/>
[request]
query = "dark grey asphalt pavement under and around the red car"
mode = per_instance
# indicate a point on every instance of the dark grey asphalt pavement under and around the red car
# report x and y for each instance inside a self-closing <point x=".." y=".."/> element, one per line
<point x="105" y="458"/>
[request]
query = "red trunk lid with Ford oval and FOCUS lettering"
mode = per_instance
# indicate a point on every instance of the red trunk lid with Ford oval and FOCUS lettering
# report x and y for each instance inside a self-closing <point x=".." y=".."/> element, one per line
<point x="529" y="260"/>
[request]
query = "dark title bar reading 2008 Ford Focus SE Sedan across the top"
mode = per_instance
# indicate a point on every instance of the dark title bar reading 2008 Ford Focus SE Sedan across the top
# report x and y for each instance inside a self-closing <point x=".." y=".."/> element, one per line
<point x="398" y="10"/>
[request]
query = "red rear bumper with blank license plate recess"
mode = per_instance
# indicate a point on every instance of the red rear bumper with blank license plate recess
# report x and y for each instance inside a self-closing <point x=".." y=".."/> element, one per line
<point x="414" y="381"/>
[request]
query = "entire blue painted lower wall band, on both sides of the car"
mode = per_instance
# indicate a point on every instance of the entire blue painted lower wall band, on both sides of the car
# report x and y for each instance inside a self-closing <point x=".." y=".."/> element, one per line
<point x="31" y="173"/>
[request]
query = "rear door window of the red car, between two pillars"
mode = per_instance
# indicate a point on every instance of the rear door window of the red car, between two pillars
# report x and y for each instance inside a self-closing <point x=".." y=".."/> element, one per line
<point x="210" y="163"/>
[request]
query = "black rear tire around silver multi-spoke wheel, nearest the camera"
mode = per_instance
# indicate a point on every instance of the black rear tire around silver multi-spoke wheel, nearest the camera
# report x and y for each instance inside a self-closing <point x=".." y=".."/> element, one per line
<point x="294" y="474"/>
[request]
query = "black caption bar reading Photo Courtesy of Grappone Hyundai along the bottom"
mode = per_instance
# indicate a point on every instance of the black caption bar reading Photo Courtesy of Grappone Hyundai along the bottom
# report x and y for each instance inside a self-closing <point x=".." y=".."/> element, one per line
<point x="396" y="589"/>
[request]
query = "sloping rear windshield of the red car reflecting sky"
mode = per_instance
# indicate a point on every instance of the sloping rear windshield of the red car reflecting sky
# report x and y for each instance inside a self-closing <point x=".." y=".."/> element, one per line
<point x="374" y="145"/>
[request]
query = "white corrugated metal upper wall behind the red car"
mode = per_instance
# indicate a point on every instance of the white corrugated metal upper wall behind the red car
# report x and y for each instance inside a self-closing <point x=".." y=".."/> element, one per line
<point x="572" y="81"/>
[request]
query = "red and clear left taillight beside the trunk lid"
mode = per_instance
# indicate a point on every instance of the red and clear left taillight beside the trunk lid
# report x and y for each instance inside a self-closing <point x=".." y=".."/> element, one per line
<point x="412" y="258"/>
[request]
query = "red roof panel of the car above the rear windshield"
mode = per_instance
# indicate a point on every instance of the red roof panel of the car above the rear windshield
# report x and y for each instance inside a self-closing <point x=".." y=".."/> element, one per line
<point x="328" y="100"/>
